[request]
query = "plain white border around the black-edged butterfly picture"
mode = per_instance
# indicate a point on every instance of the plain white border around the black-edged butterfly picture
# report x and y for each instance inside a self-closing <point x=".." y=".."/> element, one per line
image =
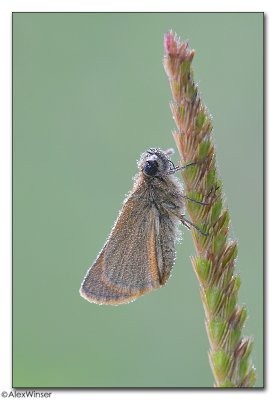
<point x="6" y="8"/>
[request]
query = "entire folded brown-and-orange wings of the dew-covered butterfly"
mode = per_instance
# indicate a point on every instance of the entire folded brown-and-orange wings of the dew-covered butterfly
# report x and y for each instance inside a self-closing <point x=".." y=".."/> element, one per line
<point x="137" y="257"/>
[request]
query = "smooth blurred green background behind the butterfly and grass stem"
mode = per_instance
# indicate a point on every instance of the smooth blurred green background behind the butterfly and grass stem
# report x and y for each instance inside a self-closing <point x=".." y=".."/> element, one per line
<point x="89" y="95"/>
